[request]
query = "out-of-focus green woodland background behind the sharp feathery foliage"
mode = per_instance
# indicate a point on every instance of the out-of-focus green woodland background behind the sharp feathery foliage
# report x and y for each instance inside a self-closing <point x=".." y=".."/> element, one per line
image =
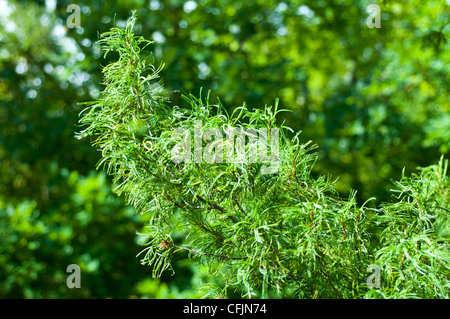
<point x="373" y="100"/>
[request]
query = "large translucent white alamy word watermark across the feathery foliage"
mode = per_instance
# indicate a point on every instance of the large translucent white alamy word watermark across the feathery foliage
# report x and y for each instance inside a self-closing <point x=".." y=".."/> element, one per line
<point x="233" y="147"/>
